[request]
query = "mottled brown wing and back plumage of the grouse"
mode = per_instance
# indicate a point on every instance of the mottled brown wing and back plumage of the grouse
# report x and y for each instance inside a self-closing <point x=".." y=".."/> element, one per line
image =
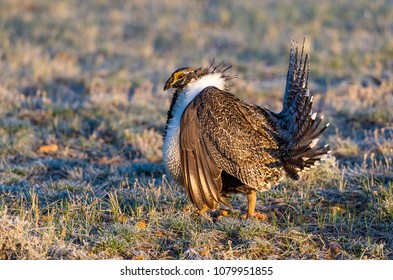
<point x="219" y="132"/>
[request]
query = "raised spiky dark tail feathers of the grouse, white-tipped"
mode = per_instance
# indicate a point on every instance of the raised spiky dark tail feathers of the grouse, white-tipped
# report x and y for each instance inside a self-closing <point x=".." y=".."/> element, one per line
<point x="302" y="126"/>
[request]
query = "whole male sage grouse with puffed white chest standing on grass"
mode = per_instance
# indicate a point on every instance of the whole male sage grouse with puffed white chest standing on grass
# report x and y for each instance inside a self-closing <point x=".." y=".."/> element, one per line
<point x="216" y="144"/>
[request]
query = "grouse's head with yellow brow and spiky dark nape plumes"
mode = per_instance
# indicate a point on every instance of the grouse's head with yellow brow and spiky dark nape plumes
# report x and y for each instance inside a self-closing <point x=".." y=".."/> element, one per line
<point x="186" y="75"/>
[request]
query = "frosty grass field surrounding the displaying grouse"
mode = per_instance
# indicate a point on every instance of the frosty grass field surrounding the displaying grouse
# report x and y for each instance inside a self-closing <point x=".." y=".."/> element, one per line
<point x="82" y="110"/>
